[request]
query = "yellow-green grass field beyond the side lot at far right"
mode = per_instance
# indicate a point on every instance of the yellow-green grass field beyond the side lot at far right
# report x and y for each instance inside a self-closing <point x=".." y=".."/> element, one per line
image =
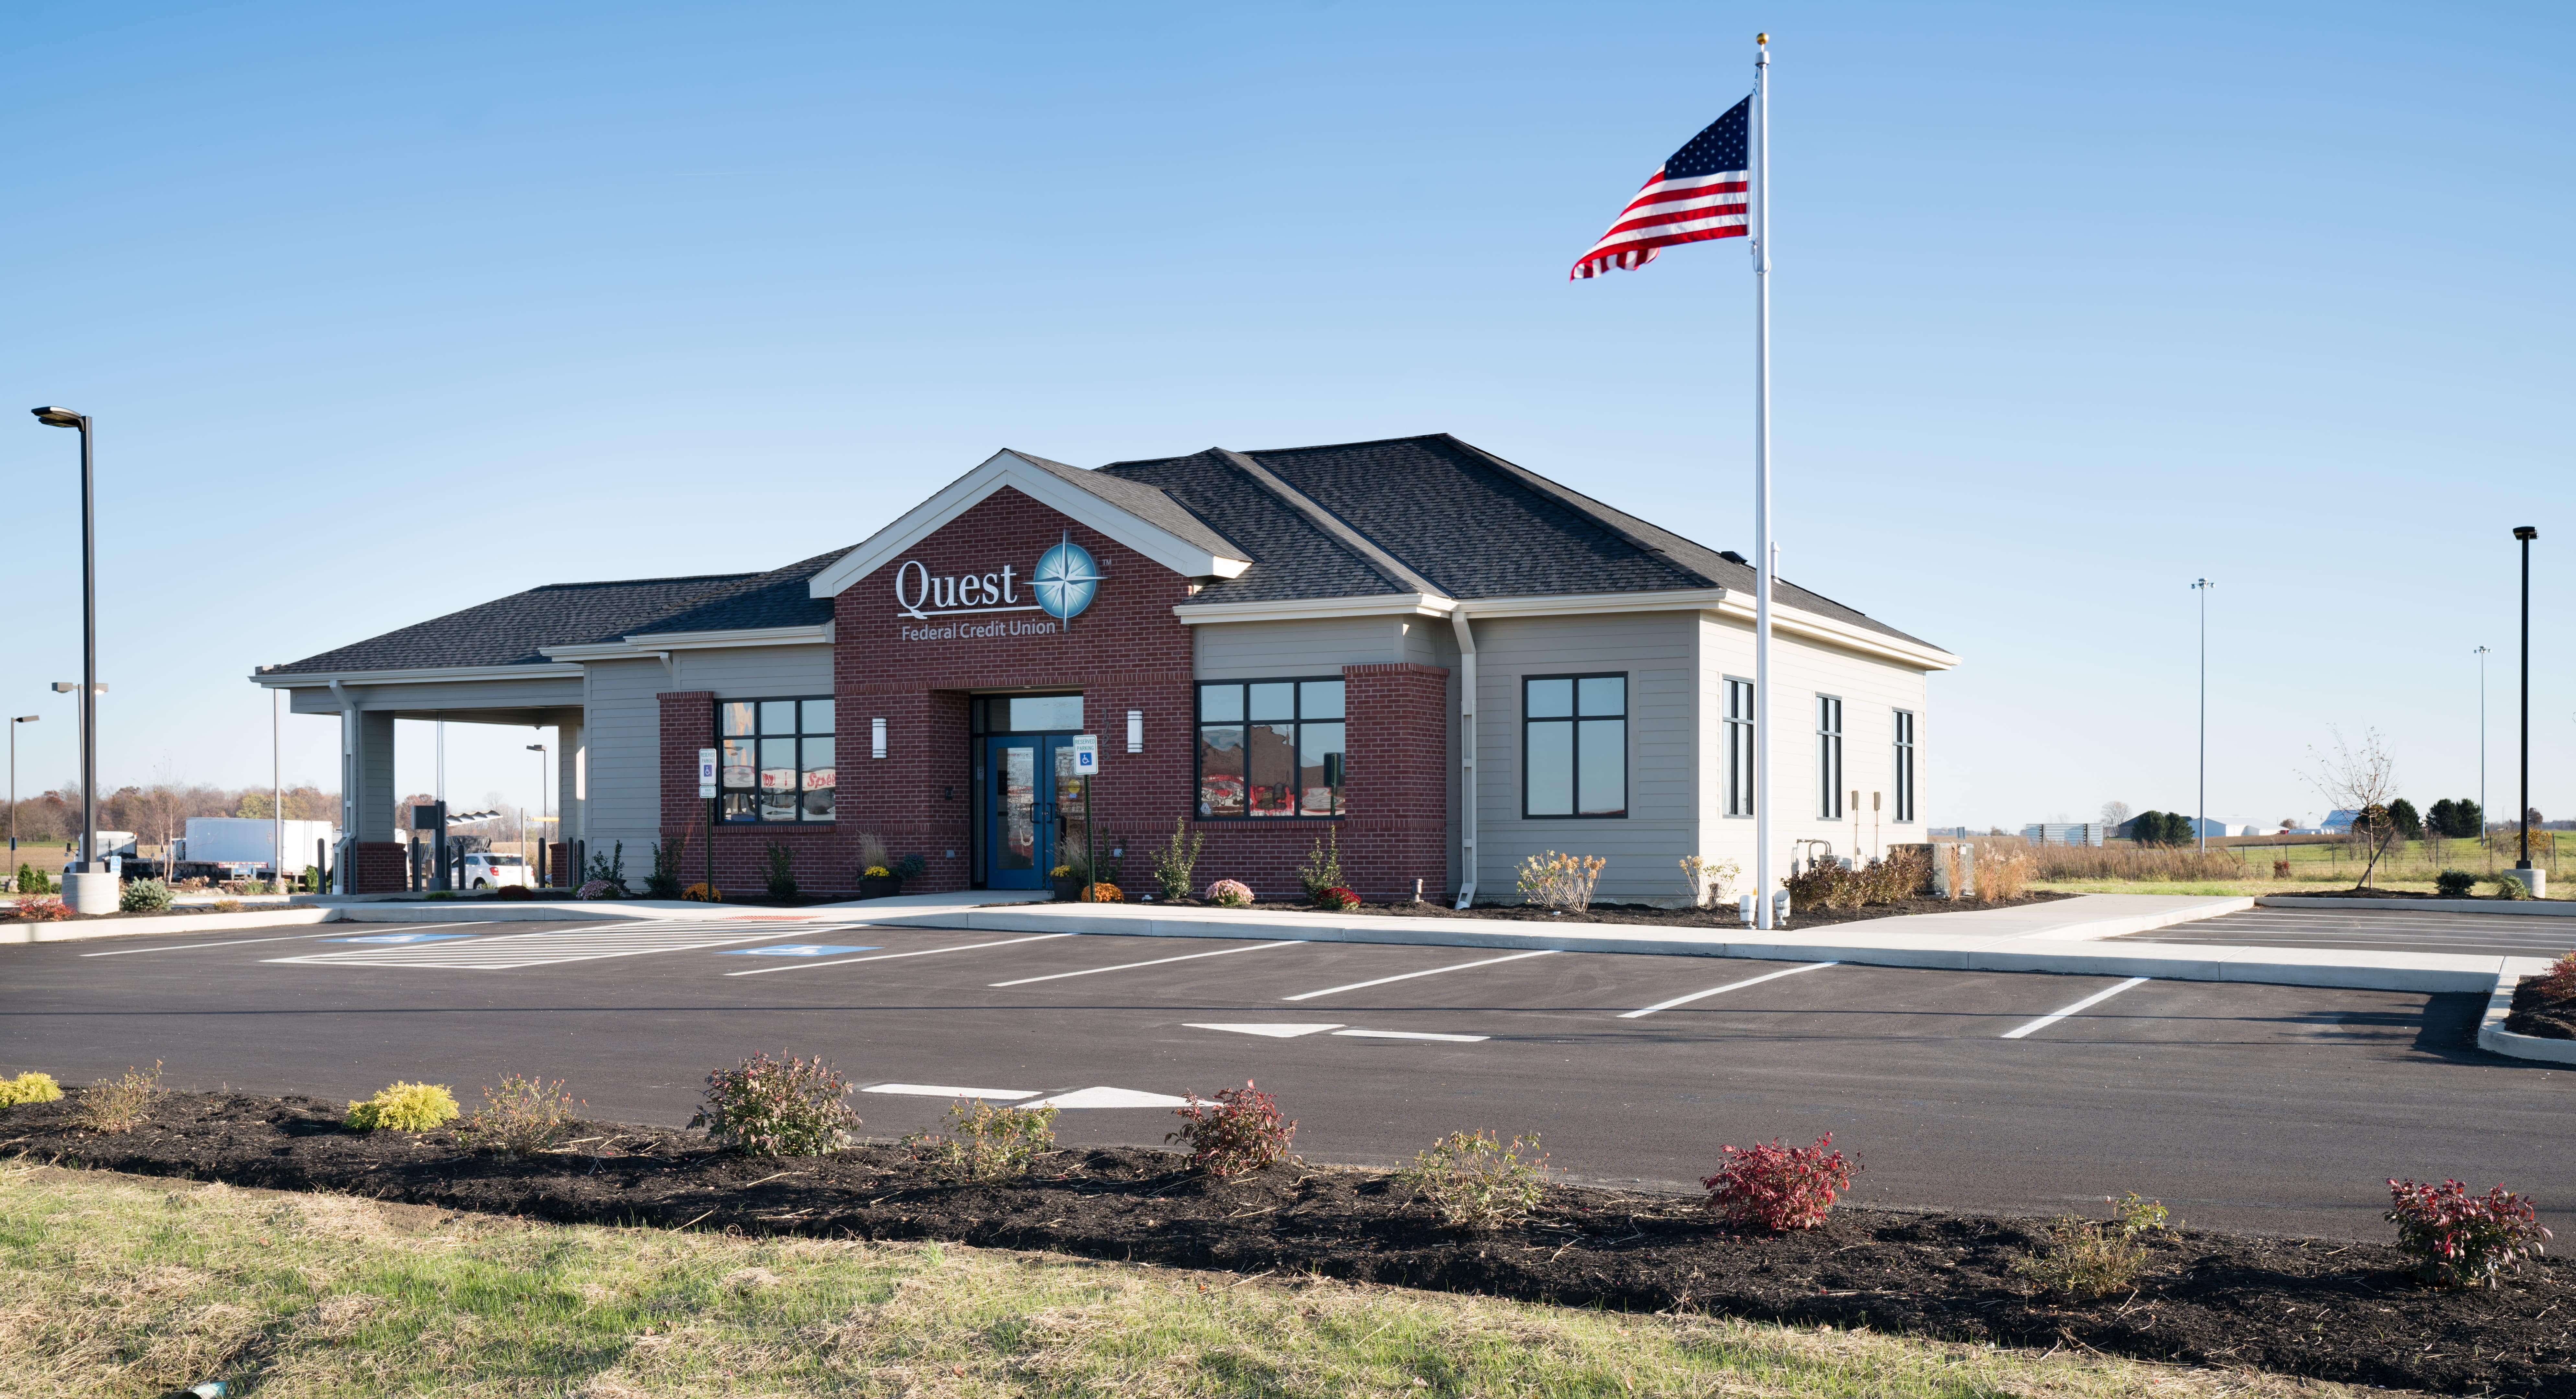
<point x="2312" y="867"/>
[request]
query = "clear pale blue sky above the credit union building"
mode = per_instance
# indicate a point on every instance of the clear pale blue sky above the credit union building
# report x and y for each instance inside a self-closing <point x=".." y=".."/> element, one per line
<point x="393" y="310"/>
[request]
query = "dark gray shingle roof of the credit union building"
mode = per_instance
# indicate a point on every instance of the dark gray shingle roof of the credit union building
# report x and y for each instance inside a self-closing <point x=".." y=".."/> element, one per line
<point x="1364" y="519"/>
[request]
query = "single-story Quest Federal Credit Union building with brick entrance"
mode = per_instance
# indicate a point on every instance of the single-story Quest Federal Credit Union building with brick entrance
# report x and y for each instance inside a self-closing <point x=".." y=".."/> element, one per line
<point x="1413" y="648"/>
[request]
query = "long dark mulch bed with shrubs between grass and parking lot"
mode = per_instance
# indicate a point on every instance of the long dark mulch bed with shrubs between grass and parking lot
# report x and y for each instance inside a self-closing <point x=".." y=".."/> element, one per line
<point x="2343" y="1313"/>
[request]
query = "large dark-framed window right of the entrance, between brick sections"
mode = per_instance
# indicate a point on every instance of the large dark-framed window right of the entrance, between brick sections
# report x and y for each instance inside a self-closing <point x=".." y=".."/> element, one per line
<point x="1271" y="748"/>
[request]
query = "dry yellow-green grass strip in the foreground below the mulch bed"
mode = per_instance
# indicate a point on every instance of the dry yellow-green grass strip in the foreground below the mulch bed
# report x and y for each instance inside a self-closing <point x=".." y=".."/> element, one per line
<point x="125" y="1287"/>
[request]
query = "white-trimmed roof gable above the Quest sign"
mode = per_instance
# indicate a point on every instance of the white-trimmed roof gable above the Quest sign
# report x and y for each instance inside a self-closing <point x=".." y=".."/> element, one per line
<point x="1132" y="514"/>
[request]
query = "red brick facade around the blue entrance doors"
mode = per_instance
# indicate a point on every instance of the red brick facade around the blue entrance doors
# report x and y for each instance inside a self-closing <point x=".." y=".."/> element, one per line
<point x="1124" y="653"/>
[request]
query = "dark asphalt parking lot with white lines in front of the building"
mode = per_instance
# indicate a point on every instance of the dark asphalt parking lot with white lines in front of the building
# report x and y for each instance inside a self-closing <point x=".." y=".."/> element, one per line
<point x="2276" y="1109"/>
